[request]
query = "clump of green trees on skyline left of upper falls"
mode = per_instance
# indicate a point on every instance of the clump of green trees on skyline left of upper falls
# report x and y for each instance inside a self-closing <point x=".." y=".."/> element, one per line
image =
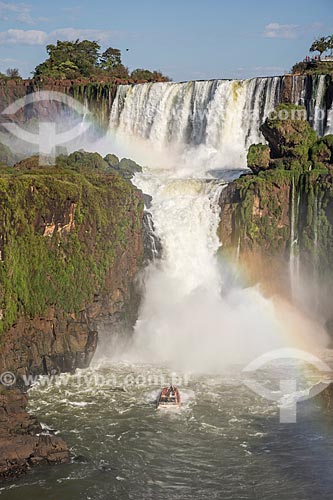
<point x="70" y="60"/>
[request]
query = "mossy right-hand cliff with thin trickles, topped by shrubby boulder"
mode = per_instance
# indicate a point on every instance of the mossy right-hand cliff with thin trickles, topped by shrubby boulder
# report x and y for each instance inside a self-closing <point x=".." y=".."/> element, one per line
<point x="279" y="222"/>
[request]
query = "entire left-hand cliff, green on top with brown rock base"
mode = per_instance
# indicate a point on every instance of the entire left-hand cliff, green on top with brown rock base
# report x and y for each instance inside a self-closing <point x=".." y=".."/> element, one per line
<point x="71" y="244"/>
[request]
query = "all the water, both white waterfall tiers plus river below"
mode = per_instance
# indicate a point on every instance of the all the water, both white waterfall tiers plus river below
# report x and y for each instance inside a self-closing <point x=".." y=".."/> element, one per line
<point x="196" y="318"/>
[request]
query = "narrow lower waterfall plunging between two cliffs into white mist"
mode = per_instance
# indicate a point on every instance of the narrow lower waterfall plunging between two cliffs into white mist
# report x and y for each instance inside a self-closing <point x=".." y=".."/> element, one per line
<point x="190" y="316"/>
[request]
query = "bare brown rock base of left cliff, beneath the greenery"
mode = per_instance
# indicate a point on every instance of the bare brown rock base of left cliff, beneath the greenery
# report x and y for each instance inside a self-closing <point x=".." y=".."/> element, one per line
<point x="51" y="344"/>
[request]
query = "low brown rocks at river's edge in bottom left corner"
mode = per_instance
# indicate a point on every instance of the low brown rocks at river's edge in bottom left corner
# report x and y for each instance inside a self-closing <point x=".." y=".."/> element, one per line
<point x="22" y="443"/>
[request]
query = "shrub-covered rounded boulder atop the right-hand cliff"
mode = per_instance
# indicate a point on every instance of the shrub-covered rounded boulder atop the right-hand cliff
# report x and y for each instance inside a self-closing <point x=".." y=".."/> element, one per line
<point x="288" y="132"/>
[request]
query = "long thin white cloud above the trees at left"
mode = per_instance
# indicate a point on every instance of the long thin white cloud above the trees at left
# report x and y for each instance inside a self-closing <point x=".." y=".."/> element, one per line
<point x="37" y="37"/>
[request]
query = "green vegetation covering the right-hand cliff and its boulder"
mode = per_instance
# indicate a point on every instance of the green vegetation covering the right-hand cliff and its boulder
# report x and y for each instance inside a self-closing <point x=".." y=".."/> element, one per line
<point x="300" y="168"/>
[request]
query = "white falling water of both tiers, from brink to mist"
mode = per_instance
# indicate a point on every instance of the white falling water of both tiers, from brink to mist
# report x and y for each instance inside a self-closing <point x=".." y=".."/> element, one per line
<point x="189" y="135"/>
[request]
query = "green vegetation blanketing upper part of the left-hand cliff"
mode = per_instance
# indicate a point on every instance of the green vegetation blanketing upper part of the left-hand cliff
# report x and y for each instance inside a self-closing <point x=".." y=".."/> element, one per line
<point x="61" y="228"/>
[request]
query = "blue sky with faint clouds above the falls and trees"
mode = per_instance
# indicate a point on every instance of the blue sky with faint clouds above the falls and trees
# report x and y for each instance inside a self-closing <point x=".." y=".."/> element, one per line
<point x="186" y="39"/>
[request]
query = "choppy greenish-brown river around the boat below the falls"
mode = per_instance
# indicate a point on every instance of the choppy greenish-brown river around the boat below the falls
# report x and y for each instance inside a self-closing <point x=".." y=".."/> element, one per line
<point x="225" y="442"/>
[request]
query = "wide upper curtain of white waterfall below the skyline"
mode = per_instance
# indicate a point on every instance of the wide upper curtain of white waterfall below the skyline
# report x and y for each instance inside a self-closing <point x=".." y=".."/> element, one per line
<point x="206" y="123"/>
